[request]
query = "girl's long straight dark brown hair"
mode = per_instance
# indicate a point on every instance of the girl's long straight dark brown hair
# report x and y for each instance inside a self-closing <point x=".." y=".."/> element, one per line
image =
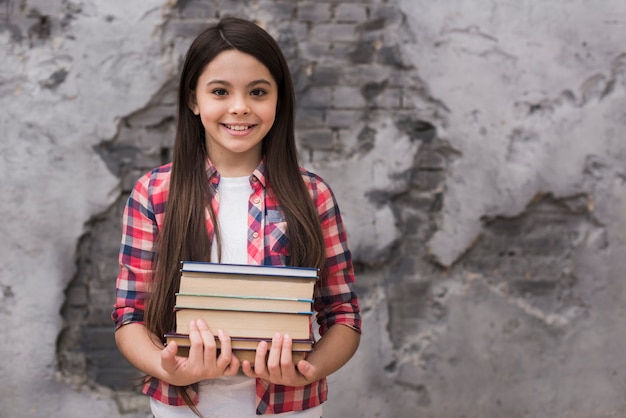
<point x="184" y="235"/>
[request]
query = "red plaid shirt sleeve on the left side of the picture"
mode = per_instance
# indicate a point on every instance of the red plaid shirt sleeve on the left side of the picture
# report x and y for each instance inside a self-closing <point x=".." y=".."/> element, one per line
<point x="137" y="255"/>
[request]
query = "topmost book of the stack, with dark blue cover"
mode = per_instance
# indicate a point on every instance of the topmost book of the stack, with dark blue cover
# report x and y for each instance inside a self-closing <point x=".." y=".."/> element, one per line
<point x="247" y="280"/>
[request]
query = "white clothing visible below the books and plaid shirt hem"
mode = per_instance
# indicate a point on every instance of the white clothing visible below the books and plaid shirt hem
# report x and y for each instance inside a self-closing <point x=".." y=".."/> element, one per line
<point x="226" y="397"/>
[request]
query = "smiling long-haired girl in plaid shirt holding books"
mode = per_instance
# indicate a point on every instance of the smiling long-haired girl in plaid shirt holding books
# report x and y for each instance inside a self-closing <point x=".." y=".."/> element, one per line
<point x="234" y="193"/>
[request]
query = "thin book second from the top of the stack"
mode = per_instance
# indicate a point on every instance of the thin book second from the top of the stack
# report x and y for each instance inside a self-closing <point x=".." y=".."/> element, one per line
<point x="242" y="302"/>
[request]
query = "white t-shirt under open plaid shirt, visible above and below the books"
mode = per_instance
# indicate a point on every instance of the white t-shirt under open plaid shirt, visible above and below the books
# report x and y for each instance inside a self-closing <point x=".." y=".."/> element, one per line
<point x="229" y="396"/>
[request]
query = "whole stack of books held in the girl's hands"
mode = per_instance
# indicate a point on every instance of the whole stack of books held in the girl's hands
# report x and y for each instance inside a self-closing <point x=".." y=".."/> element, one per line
<point x="250" y="303"/>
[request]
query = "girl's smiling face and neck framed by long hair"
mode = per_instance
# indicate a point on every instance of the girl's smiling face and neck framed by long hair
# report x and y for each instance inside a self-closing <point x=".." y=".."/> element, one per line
<point x="236" y="100"/>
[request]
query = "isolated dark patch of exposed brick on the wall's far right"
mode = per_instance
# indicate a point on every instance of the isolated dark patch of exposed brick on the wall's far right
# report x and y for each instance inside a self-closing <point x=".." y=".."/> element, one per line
<point x="532" y="253"/>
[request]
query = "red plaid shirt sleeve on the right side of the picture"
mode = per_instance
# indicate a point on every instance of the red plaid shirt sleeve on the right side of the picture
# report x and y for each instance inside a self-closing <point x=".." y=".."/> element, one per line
<point x="335" y="299"/>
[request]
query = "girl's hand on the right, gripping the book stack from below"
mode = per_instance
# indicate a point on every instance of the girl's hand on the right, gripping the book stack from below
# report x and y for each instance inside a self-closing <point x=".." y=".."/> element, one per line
<point x="280" y="369"/>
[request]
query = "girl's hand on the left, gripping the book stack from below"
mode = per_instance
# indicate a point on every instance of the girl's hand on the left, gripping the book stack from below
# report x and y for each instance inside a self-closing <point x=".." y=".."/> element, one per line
<point x="203" y="361"/>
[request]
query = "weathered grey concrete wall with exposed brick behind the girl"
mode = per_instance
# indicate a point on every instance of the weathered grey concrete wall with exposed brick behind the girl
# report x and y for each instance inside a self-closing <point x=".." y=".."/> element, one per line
<point x="477" y="151"/>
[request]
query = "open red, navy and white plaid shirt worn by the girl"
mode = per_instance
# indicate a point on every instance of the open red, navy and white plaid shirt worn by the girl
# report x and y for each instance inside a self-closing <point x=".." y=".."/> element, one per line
<point x="334" y="301"/>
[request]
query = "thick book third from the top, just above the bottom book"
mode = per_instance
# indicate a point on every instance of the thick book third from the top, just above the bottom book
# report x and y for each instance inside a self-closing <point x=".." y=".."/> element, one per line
<point x="251" y="324"/>
